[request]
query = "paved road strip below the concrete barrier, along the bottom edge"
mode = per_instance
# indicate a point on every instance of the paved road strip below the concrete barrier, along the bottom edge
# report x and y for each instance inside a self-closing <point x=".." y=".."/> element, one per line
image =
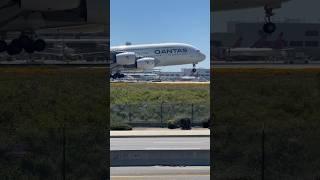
<point x="161" y="172"/>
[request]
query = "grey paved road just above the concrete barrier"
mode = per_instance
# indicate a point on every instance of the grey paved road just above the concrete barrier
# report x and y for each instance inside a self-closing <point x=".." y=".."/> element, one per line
<point x="158" y="143"/>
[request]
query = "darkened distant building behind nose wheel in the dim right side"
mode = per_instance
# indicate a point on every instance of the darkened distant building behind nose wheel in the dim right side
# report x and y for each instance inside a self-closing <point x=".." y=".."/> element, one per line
<point x="299" y="35"/>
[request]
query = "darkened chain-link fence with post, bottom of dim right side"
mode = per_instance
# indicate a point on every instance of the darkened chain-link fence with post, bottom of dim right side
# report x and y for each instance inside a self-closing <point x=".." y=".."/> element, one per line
<point x="252" y="152"/>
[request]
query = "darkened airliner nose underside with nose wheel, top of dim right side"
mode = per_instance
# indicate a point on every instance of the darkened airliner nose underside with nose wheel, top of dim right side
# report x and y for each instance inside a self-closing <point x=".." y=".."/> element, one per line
<point x="268" y="27"/>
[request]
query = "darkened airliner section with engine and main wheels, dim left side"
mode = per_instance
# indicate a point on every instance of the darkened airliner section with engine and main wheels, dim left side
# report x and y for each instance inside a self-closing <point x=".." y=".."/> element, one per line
<point x="29" y="16"/>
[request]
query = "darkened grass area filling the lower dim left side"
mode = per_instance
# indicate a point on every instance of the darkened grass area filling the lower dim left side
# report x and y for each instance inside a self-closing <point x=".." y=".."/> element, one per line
<point x="35" y="103"/>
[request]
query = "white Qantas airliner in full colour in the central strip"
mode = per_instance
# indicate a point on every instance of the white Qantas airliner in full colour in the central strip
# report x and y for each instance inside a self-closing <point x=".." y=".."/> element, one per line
<point x="149" y="56"/>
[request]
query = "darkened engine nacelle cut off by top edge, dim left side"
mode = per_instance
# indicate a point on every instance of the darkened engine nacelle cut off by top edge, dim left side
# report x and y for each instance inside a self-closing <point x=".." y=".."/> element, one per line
<point x="49" y="5"/>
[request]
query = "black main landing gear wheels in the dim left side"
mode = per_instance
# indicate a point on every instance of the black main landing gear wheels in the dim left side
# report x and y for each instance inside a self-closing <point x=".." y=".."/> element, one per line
<point x="24" y="42"/>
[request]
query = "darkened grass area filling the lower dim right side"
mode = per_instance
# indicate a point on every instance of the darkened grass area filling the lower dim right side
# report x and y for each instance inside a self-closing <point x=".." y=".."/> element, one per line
<point x="287" y="102"/>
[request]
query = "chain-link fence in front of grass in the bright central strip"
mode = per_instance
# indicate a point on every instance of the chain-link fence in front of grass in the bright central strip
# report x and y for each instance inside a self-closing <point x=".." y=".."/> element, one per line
<point x="158" y="114"/>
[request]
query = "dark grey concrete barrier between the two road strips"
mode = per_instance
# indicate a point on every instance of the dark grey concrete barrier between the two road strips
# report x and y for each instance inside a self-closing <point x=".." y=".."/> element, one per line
<point x="160" y="157"/>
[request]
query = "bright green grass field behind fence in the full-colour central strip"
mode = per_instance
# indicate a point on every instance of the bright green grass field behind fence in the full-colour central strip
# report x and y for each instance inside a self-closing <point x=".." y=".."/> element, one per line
<point x="153" y="102"/>
